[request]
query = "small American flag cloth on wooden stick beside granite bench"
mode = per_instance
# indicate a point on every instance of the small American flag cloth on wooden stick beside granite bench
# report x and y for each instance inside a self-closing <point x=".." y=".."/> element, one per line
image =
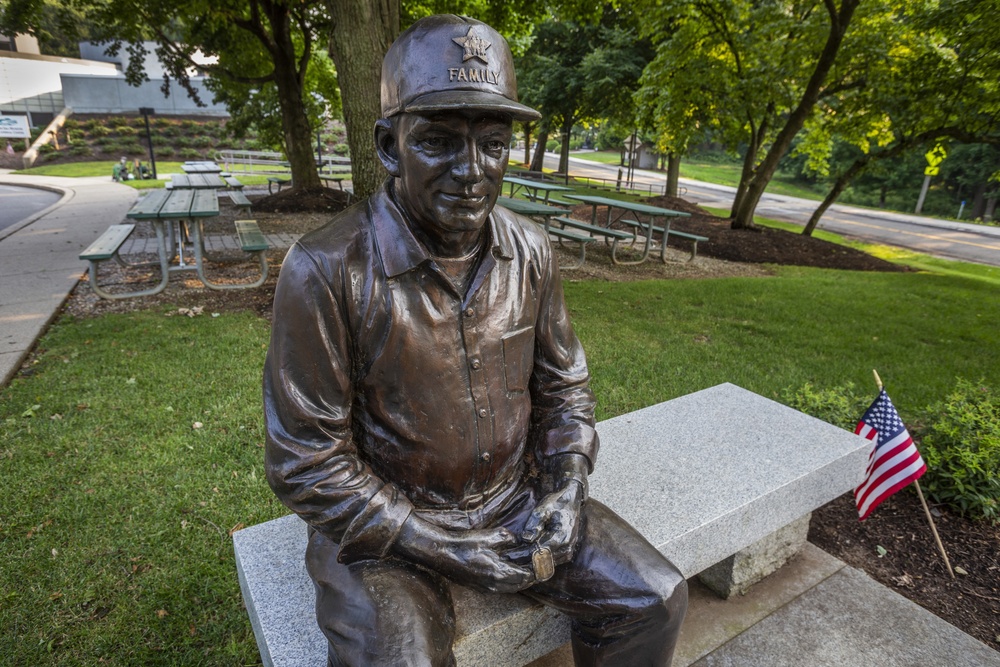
<point x="895" y="461"/>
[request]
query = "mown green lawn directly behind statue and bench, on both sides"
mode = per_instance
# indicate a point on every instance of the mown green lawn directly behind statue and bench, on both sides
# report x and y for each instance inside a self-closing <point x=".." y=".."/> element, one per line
<point x="114" y="535"/>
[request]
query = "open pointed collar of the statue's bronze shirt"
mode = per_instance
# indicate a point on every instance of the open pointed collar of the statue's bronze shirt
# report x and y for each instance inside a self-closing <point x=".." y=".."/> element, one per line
<point x="399" y="248"/>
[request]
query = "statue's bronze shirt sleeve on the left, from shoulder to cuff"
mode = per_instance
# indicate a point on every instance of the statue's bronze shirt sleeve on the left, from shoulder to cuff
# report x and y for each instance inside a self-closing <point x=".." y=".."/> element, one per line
<point x="311" y="459"/>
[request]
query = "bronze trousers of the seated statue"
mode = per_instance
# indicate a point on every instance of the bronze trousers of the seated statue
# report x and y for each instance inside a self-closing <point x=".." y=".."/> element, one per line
<point x="625" y="600"/>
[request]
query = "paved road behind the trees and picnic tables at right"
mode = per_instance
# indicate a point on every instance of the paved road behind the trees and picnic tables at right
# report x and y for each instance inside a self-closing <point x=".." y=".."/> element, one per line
<point x="967" y="242"/>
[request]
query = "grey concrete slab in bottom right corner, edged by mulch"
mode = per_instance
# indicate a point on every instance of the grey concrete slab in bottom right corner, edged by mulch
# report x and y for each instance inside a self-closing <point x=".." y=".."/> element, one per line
<point x="850" y="620"/>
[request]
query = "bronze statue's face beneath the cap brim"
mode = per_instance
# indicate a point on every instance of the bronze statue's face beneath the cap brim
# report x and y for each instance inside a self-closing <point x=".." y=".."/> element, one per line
<point x="450" y="169"/>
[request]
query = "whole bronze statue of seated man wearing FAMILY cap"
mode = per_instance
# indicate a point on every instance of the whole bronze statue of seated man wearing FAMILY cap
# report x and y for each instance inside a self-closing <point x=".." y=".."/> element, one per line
<point x="427" y="402"/>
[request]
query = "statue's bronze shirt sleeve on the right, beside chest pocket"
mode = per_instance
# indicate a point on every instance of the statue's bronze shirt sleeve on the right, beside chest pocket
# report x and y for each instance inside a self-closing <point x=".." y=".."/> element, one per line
<point x="562" y="402"/>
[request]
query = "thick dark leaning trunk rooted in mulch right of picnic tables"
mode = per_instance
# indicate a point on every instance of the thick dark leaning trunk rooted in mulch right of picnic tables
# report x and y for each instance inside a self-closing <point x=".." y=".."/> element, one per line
<point x="743" y="213"/>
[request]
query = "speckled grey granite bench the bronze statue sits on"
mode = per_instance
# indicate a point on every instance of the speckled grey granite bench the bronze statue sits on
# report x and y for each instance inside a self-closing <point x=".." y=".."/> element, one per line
<point x="716" y="480"/>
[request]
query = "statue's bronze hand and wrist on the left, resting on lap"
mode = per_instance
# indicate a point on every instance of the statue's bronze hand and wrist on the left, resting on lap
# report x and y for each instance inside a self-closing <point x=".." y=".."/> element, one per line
<point x="471" y="558"/>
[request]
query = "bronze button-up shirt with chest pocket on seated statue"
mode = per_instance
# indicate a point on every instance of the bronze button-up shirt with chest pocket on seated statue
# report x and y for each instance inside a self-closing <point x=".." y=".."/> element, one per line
<point x="385" y="389"/>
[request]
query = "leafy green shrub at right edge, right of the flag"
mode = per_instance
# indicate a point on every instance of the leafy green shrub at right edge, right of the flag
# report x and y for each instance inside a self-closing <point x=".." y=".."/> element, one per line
<point x="961" y="445"/>
